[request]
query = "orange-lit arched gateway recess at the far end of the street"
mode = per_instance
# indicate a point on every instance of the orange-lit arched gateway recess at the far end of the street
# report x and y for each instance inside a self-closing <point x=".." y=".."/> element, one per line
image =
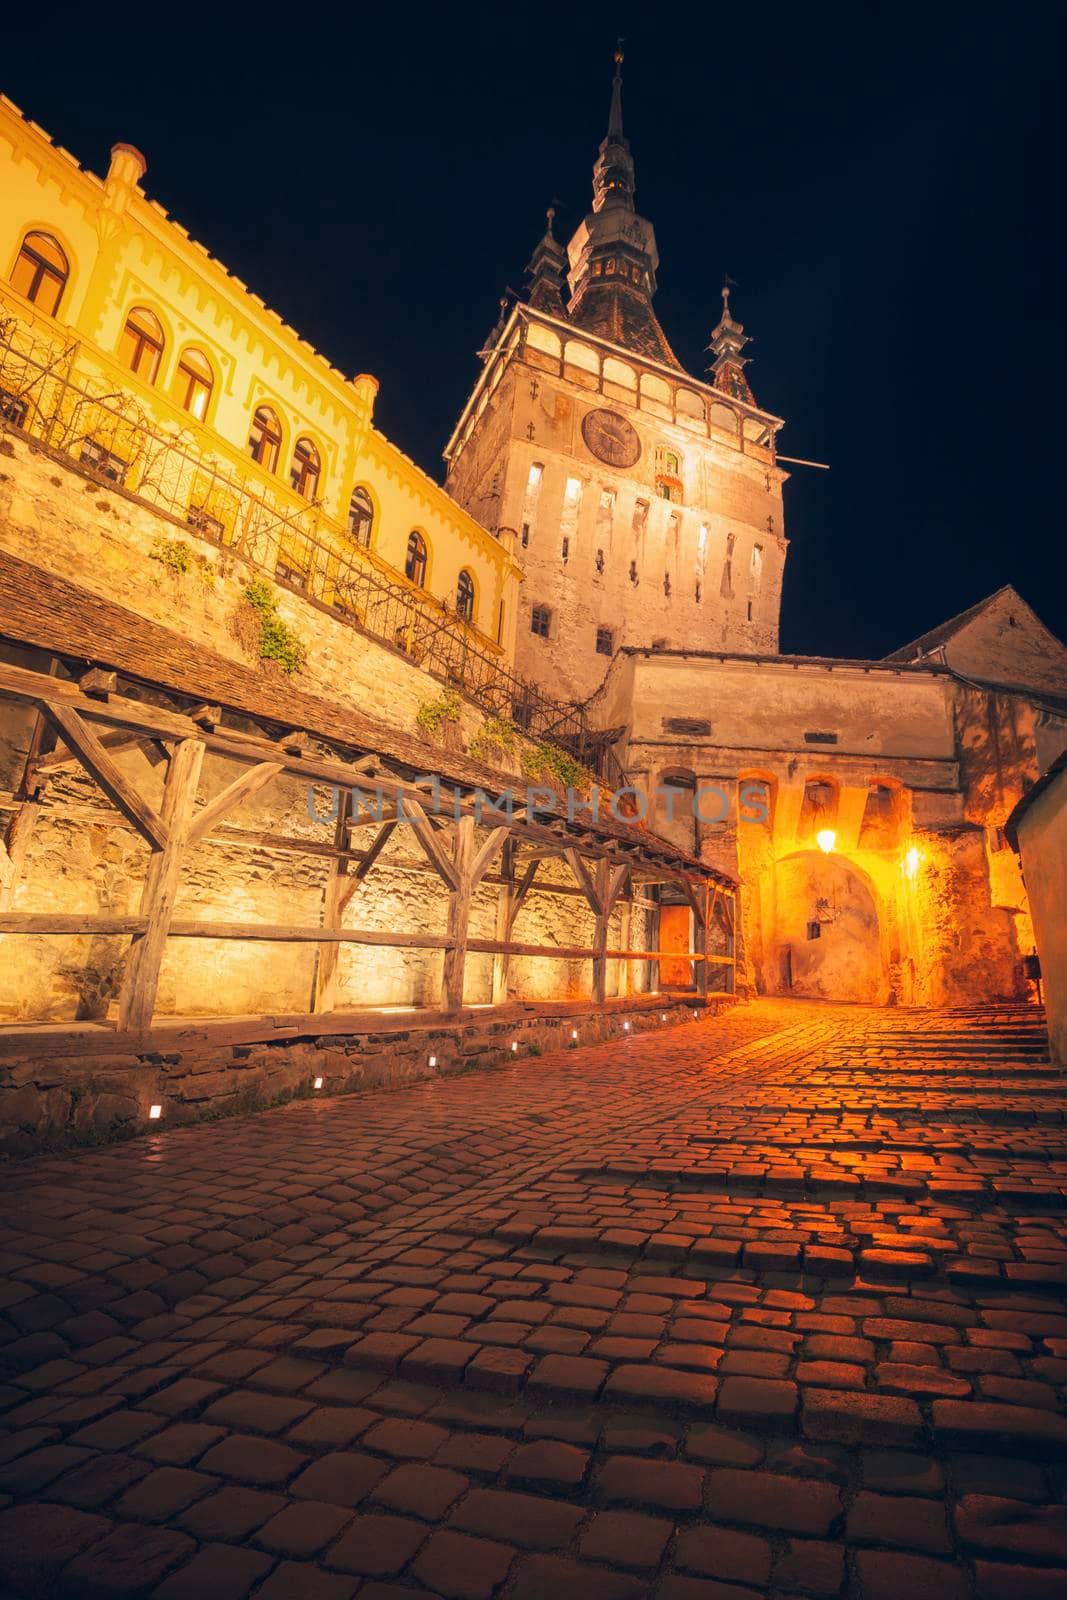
<point x="826" y="940"/>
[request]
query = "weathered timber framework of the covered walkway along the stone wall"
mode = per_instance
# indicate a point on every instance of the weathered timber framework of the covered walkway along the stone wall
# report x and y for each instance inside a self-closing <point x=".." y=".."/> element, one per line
<point x="86" y="711"/>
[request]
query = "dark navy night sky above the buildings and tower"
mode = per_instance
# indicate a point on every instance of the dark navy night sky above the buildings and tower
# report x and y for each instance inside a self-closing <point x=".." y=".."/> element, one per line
<point x="882" y="185"/>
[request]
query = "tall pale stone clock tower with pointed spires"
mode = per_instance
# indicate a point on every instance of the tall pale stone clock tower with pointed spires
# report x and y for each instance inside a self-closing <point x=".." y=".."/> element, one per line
<point x="645" y="505"/>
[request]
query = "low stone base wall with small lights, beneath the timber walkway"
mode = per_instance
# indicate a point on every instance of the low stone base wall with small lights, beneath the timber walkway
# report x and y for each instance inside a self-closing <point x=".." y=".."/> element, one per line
<point x="90" y="1087"/>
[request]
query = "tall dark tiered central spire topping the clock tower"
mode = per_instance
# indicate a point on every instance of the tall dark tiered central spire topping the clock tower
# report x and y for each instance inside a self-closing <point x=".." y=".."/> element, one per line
<point x="613" y="252"/>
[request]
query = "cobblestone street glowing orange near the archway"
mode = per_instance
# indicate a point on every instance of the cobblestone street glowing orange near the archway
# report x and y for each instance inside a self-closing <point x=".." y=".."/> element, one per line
<point x="765" y="1305"/>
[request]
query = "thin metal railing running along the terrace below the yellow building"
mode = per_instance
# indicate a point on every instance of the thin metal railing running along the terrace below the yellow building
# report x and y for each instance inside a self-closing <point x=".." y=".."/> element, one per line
<point x="65" y="398"/>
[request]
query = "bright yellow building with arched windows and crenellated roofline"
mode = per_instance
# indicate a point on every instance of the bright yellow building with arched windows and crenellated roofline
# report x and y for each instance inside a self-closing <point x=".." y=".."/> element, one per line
<point x="127" y="346"/>
